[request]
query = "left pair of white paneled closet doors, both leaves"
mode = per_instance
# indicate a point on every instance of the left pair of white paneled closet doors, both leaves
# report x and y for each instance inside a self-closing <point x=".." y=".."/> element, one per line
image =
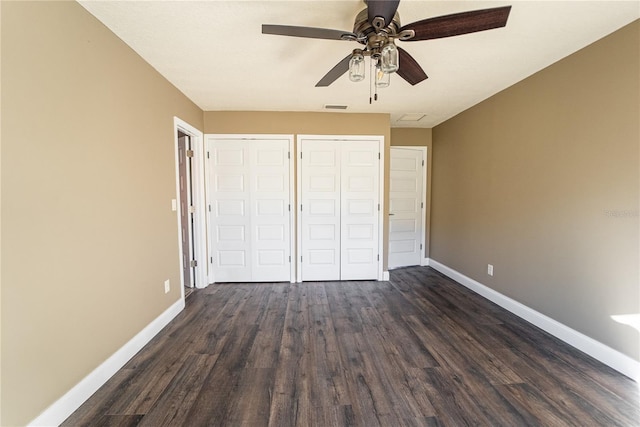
<point x="249" y="219"/>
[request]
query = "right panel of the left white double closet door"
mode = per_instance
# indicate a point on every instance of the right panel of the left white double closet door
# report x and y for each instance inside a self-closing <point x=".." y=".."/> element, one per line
<point x="270" y="237"/>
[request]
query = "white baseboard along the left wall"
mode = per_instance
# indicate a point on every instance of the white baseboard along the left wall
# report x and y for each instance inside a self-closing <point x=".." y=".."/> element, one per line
<point x="61" y="409"/>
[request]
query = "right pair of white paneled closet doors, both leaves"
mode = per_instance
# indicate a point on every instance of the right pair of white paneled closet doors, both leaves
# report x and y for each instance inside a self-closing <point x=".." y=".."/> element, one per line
<point x="339" y="201"/>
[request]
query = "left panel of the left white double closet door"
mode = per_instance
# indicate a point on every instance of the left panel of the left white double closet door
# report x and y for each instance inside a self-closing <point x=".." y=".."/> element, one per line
<point x="230" y="216"/>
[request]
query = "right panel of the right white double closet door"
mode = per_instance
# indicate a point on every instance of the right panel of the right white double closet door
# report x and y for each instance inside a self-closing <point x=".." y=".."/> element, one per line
<point x="359" y="214"/>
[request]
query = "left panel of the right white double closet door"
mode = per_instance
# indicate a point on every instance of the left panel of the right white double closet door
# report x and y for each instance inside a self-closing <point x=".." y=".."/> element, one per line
<point x="320" y="215"/>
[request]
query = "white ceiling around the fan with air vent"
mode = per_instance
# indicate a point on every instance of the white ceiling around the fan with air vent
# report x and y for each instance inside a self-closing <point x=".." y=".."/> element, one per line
<point x="214" y="52"/>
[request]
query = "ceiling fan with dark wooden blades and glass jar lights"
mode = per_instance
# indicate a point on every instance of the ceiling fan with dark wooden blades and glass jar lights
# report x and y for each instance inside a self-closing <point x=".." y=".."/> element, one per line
<point x="377" y="27"/>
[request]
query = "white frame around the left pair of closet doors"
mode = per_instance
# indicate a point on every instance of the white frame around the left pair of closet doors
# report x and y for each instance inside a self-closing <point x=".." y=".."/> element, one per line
<point x="292" y="216"/>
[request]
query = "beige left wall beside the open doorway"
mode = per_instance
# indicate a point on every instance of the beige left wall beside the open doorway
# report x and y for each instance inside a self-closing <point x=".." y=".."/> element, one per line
<point x="88" y="174"/>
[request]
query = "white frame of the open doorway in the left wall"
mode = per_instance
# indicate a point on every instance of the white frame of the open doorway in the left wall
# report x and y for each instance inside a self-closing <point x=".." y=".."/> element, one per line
<point x="197" y="188"/>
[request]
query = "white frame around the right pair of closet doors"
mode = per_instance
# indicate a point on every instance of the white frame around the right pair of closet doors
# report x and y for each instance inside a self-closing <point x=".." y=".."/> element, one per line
<point x="381" y="182"/>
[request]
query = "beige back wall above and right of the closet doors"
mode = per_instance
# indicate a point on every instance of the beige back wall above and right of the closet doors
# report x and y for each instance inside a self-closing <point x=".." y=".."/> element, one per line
<point x="265" y="122"/>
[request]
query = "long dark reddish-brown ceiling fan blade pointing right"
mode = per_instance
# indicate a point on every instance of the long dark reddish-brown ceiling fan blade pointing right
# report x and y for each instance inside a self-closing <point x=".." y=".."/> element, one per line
<point x="458" y="23"/>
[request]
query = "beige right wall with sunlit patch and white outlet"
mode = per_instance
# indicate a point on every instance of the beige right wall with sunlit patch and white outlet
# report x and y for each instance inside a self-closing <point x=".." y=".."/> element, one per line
<point x="542" y="181"/>
